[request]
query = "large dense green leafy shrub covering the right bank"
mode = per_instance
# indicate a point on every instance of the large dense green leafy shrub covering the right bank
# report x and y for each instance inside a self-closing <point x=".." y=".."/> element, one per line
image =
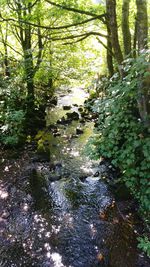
<point x="121" y="134"/>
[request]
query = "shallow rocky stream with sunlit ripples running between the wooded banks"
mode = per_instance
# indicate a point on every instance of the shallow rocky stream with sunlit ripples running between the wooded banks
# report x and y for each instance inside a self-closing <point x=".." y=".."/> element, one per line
<point x="55" y="210"/>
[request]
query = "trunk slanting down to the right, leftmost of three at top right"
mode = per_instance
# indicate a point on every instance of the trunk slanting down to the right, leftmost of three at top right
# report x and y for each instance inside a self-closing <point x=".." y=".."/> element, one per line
<point x="112" y="22"/>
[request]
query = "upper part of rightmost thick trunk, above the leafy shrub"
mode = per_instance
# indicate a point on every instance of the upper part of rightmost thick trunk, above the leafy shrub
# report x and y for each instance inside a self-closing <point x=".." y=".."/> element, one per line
<point x="142" y="24"/>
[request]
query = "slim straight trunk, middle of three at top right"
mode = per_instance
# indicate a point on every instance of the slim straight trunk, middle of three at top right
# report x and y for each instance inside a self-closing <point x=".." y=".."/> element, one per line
<point x="125" y="27"/>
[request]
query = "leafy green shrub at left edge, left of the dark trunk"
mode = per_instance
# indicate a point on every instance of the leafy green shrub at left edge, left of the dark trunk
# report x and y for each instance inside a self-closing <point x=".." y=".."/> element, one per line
<point x="11" y="113"/>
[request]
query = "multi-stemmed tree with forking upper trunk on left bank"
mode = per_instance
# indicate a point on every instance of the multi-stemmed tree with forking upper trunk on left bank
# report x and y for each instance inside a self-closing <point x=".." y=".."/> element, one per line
<point x="24" y="12"/>
